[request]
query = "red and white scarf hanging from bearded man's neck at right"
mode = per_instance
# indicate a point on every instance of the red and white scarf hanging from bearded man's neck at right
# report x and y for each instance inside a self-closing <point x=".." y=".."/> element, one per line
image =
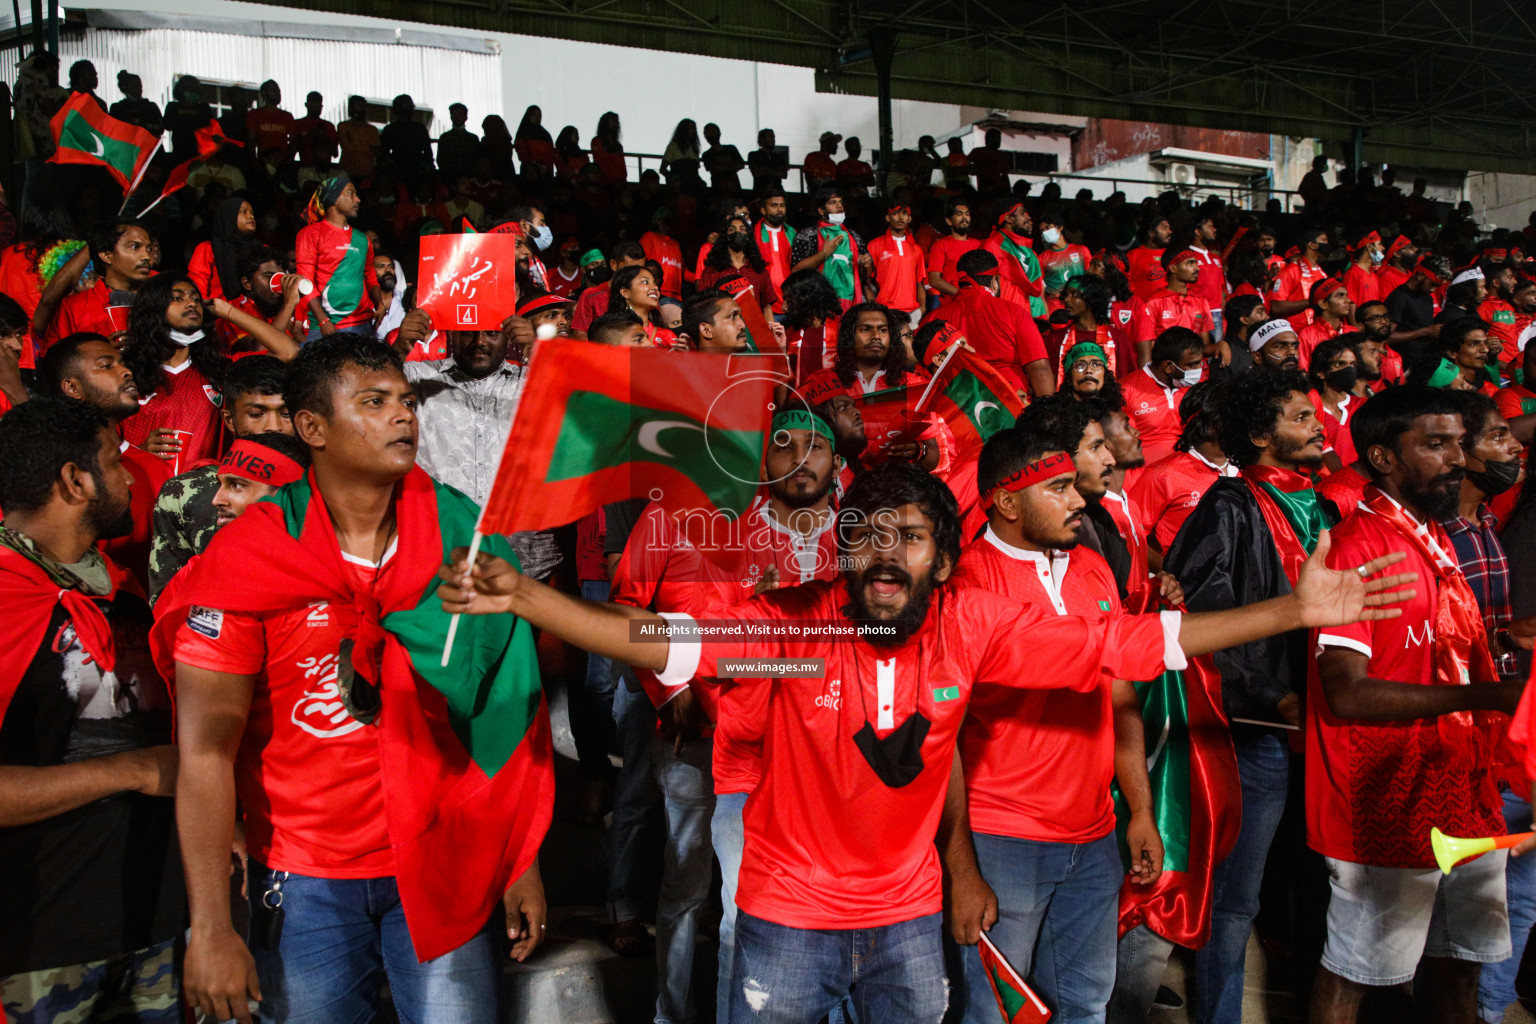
<point x="1462" y="642"/>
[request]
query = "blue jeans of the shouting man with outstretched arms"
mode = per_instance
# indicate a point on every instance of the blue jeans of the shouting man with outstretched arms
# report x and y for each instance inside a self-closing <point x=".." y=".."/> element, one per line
<point x="793" y="976"/>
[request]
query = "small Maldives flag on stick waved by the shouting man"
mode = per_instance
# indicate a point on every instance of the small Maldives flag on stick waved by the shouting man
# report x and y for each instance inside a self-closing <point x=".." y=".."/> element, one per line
<point x="600" y="424"/>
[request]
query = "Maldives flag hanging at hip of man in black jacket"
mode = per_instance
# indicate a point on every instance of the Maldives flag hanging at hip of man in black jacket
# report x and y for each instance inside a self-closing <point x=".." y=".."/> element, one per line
<point x="1196" y="802"/>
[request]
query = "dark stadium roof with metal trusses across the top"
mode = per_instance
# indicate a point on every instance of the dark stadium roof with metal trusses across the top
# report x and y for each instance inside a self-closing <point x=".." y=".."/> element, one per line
<point x="1423" y="82"/>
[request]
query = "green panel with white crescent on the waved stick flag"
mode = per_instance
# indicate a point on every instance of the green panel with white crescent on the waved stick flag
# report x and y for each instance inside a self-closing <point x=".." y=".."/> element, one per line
<point x="601" y="432"/>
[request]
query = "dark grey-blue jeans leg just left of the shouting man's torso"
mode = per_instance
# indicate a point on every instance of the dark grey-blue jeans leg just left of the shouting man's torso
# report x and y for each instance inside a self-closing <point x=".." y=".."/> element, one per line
<point x="689" y="801"/>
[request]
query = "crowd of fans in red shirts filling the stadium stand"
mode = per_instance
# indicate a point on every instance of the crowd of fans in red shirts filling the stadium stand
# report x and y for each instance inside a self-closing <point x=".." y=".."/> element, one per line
<point x="1207" y="391"/>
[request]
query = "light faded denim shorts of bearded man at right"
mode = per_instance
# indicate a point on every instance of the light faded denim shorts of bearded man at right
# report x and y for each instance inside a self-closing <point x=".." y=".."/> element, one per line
<point x="1385" y="920"/>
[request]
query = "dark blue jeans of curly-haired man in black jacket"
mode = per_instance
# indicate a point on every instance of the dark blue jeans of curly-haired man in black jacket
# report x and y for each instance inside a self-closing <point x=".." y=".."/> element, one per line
<point x="1265" y="776"/>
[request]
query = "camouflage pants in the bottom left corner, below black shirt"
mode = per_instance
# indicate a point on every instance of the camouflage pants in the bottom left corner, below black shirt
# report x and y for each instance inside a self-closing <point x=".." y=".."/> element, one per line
<point x="139" y="988"/>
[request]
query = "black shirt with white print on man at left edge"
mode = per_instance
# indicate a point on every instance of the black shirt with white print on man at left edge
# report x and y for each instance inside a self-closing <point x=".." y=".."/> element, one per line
<point x="105" y="879"/>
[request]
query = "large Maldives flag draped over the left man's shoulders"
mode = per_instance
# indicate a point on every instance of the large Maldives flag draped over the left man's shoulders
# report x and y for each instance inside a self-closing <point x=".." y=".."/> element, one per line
<point x="466" y="759"/>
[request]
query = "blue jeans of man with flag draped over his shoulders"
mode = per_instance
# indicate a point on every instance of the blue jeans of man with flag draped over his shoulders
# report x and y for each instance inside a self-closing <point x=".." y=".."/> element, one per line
<point x="343" y="939"/>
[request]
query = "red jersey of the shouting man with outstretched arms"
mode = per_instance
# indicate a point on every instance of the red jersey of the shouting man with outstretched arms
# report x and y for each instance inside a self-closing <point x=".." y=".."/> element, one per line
<point x="829" y="844"/>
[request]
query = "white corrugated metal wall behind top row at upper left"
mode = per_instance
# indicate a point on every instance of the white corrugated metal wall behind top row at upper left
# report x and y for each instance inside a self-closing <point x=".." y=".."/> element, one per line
<point x="379" y="71"/>
